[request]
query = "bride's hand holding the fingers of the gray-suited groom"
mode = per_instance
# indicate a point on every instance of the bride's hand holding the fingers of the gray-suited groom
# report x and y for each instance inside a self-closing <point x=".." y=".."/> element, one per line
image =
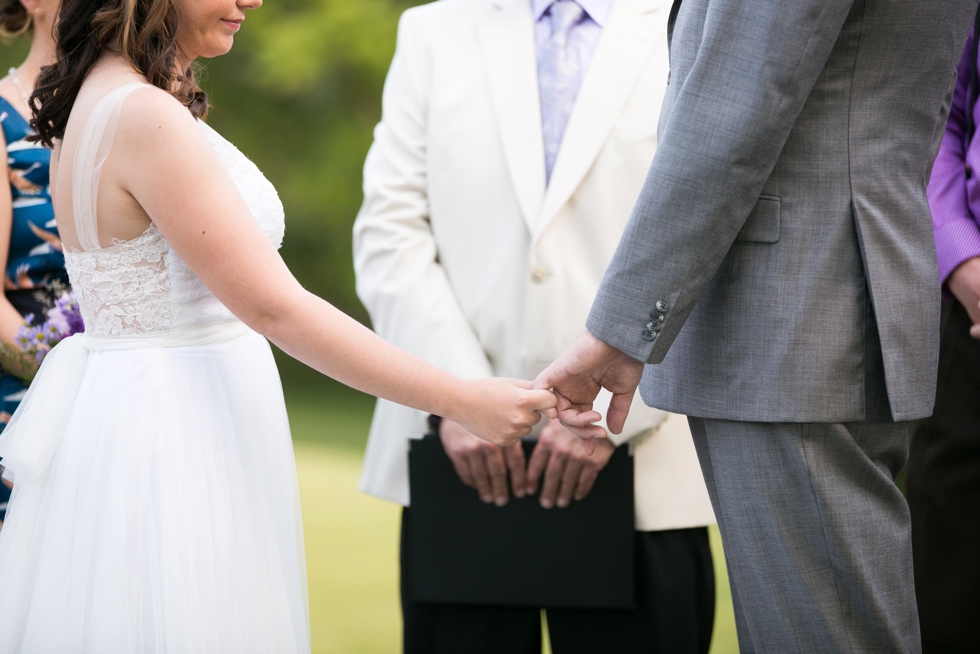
<point x="502" y="411"/>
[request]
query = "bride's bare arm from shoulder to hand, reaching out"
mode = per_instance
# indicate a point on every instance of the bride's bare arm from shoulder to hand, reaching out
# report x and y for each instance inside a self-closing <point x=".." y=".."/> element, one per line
<point x="163" y="159"/>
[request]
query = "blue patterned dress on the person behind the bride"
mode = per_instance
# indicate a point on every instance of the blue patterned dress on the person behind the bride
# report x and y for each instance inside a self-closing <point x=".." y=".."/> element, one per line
<point x="34" y="260"/>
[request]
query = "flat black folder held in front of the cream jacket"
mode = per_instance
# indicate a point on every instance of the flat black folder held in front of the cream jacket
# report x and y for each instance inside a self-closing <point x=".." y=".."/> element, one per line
<point x="468" y="552"/>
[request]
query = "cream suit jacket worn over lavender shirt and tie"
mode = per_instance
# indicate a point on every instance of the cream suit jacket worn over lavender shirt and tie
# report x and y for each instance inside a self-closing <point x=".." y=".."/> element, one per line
<point x="464" y="256"/>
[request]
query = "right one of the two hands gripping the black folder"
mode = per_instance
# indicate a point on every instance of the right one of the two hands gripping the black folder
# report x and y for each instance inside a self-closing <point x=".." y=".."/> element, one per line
<point x="569" y="468"/>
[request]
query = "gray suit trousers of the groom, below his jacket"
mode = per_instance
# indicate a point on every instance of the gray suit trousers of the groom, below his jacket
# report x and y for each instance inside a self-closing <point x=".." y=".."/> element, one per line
<point x="816" y="534"/>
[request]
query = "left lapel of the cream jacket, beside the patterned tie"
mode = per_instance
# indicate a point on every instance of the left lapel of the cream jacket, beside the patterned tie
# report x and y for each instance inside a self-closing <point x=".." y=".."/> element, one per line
<point x="507" y="45"/>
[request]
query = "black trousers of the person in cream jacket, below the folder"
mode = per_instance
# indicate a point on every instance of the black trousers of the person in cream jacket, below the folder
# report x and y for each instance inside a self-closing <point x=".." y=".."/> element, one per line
<point x="675" y="607"/>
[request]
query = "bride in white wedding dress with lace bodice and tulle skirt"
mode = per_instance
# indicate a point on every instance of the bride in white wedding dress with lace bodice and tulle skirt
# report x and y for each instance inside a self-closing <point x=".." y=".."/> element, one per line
<point x="155" y="503"/>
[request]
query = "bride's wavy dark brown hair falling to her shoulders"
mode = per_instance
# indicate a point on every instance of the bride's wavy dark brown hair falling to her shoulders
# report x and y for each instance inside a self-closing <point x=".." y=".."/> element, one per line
<point x="144" y="32"/>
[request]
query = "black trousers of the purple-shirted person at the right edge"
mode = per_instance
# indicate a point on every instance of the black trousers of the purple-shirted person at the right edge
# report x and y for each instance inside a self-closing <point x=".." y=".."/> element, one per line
<point x="944" y="496"/>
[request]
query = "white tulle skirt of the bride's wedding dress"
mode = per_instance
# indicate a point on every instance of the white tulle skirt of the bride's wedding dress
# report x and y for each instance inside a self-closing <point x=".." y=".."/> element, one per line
<point x="168" y="519"/>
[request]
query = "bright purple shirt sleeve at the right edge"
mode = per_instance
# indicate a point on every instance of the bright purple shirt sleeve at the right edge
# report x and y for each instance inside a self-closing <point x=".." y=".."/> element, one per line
<point x="956" y="230"/>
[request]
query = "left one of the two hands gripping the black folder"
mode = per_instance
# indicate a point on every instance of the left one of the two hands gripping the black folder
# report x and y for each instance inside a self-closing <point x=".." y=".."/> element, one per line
<point x="484" y="466"/>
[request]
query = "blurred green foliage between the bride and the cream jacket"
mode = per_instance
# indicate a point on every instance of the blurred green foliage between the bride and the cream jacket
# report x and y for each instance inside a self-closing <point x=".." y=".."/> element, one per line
<point x="300" y="94"/>
